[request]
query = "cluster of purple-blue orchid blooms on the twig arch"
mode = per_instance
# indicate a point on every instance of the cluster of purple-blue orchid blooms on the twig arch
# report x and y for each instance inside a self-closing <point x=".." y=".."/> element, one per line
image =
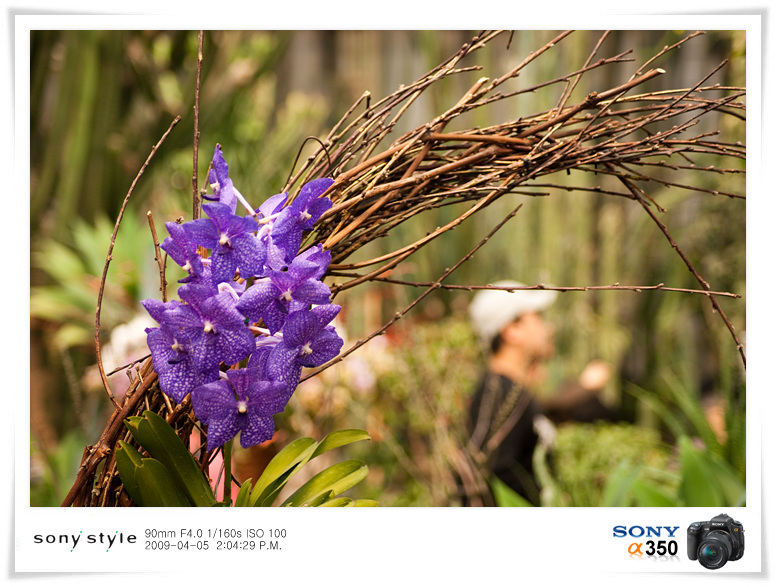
<point x="254" y="300"/>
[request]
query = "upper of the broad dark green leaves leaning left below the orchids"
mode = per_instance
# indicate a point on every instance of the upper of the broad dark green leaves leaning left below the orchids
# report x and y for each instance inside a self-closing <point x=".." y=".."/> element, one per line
<point x="154" y="434"/>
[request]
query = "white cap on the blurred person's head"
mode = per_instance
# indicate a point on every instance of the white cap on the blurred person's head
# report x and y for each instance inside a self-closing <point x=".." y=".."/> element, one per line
<point x="492" y="309"/>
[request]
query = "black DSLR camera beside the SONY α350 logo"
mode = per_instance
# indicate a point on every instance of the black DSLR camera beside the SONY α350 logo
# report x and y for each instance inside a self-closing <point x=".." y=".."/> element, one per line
<point x="715" y="542"/>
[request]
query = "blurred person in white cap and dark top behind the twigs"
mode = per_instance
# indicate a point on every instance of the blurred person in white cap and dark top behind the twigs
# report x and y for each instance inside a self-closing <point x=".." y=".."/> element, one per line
<point x="506" y="420"/>
